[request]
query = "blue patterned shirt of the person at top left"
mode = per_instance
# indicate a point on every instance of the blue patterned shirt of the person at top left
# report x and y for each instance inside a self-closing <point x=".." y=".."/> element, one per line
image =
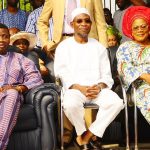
<point x="17" y="20"/>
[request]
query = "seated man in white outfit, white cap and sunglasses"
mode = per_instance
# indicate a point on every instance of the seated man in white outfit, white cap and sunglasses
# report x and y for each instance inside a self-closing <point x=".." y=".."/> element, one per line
<point x="83" y="66"/>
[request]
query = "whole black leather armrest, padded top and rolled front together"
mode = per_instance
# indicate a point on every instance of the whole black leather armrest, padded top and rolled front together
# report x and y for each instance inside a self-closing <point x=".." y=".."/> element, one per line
<point x="44" y="100"/>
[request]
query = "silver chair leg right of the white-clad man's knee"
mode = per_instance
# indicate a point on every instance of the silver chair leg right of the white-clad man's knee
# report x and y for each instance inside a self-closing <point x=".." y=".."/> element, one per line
<point x="126" y="119"/>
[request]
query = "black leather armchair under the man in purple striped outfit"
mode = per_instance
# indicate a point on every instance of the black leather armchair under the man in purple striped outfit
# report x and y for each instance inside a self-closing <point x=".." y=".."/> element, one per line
<point x="37" y="120"/>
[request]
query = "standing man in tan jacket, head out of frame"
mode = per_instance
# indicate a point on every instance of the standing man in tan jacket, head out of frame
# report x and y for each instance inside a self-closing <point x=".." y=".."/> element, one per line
<point x="60" y="11"/>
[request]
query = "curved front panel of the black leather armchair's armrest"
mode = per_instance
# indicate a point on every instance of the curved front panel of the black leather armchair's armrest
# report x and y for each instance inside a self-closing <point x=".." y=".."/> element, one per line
<point x="46" y="109"/>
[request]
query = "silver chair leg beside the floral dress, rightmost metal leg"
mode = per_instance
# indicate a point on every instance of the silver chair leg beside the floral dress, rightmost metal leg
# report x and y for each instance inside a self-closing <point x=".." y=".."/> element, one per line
<point x="135" y="121"/>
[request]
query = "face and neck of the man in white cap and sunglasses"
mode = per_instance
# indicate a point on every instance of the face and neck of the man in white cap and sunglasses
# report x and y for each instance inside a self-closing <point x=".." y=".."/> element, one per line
<point x="82" y="26"/>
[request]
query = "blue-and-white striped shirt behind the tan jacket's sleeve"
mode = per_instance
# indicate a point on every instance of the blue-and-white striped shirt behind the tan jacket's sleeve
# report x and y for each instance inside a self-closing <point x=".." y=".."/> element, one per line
<point x="31" y="25"/>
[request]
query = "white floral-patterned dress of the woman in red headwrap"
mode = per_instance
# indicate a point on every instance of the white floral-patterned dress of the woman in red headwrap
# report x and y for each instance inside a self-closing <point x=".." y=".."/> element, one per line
<point x="133" y="61"/>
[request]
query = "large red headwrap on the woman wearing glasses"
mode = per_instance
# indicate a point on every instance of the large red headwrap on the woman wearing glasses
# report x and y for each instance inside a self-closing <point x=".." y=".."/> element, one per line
<point x="131" y="14"/>
